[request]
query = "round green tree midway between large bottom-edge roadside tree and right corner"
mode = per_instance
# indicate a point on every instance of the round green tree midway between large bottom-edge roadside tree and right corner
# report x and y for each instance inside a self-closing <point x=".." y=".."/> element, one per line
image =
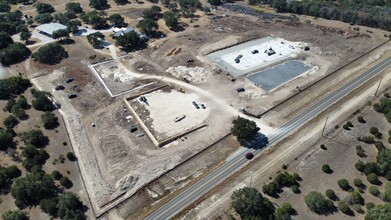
<point x="318" y="203"/>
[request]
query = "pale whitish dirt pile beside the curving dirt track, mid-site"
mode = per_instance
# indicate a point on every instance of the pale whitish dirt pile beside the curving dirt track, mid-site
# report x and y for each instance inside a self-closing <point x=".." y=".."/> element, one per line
<point x="193" y="74"/>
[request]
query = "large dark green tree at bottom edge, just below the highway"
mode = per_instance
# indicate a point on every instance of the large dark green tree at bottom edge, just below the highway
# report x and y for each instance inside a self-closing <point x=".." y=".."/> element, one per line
<point x="250" y="204"/>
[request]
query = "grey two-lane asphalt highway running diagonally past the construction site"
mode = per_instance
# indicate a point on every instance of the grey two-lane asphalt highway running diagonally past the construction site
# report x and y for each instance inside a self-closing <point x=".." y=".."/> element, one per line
<point x="231" y="166"/>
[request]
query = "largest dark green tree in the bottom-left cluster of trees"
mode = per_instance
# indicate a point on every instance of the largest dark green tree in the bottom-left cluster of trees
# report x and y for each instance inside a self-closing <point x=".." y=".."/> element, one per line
<point x="30" y="190"/>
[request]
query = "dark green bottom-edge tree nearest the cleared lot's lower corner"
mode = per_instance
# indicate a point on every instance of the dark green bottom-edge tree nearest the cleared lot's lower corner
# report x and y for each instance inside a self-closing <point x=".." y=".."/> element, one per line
<point x="70" y="207"/>
